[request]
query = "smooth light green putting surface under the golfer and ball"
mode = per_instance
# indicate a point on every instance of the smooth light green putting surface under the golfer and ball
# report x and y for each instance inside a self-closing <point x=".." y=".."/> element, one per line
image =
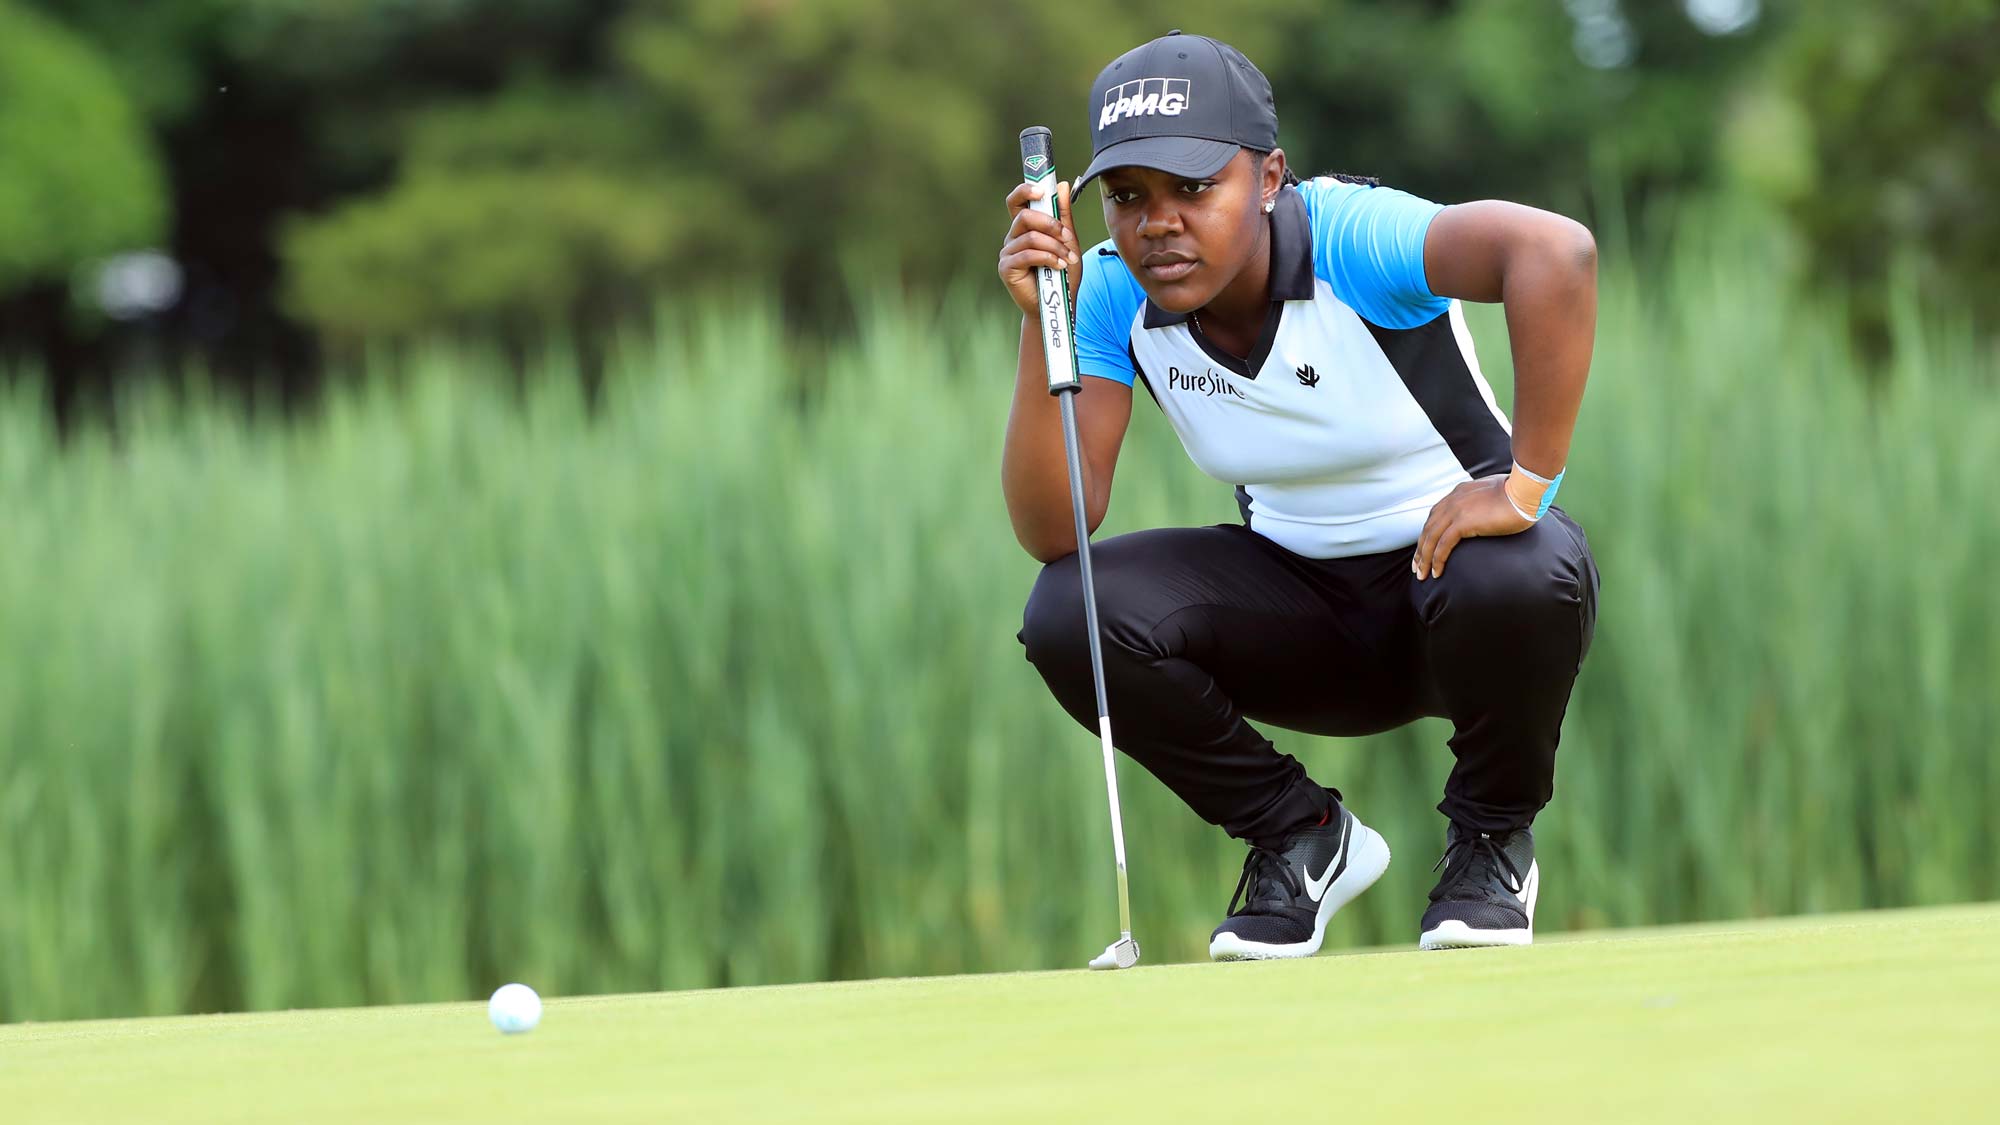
<point x="1855" y="1018"/>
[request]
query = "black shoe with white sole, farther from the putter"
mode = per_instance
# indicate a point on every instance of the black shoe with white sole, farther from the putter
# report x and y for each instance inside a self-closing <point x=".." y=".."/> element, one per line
<point x="1487" y="892"/>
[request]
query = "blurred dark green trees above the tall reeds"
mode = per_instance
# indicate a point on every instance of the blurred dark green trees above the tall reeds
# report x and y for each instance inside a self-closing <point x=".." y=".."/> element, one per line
<point x="259" y="185"/>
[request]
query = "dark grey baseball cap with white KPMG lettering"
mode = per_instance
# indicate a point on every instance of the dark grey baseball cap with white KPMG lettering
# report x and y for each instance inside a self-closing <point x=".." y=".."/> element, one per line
<point x="1183" y="105"/>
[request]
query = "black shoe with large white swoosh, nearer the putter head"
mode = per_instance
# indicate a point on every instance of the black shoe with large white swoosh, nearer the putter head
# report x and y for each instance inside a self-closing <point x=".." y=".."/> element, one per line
<point x="1285" y="898"/>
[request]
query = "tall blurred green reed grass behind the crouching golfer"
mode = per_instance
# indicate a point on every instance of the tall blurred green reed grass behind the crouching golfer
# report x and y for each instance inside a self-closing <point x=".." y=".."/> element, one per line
<point x="715" y="682"/>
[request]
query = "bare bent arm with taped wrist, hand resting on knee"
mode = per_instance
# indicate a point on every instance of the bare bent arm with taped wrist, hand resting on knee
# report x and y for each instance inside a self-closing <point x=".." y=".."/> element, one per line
<point x="1545" y="269"/>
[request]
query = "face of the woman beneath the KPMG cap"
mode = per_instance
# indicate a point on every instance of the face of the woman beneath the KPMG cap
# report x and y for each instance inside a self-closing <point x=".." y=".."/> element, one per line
<point x="1189" y="239"/>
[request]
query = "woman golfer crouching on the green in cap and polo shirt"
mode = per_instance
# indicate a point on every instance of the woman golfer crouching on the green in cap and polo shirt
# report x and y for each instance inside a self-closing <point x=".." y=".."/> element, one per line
<point x="1401" y="551"/>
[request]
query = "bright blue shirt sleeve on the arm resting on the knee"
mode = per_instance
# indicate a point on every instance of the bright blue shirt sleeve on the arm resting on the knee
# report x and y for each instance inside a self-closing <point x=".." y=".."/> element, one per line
<point x="1369" y="245"/>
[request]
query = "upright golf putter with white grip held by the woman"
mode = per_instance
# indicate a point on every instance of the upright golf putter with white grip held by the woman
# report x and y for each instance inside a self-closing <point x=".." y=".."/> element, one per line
<point x="1039" y="165"/>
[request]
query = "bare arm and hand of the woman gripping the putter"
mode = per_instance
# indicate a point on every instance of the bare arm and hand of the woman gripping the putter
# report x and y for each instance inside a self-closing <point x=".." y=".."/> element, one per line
<point x="1033" y="467"/>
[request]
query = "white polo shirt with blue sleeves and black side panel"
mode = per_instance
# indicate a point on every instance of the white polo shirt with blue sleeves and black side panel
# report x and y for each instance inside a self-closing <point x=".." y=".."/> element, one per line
<point x="1363" y="401"/>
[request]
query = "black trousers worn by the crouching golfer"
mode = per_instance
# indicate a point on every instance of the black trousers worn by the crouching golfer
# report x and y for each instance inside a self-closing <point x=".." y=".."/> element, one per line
<point x="1211" y="628"/>
